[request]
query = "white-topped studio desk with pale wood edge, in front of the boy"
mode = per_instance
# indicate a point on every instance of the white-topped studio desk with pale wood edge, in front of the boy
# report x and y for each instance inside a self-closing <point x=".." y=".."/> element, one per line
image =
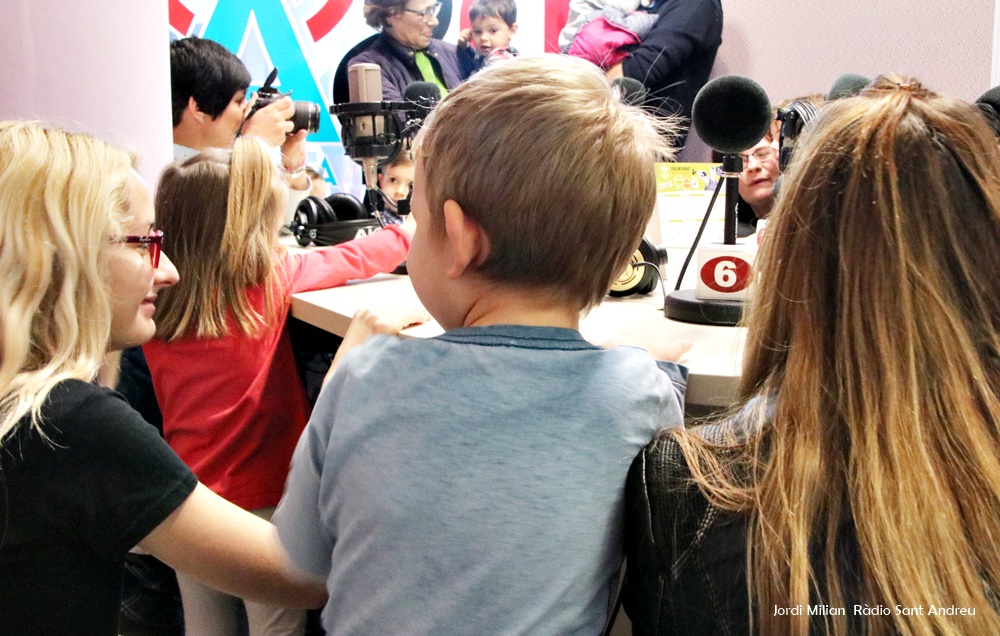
<point x="713" y="361"/>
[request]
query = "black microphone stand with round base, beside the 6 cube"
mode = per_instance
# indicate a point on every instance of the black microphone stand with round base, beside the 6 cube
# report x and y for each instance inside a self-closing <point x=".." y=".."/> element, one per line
<point x="684" y="305"/>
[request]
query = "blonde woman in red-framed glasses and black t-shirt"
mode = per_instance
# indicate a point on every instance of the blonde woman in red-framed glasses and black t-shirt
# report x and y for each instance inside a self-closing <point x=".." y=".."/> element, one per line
<point x="82" y="477"/>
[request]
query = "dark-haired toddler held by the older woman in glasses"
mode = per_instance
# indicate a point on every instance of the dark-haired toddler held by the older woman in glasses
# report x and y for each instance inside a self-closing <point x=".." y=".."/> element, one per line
<point x="494" y="23"/>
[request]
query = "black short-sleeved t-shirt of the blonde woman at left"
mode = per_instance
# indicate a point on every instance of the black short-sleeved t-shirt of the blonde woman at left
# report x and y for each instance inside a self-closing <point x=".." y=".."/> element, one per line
<point x="73" y="505"/>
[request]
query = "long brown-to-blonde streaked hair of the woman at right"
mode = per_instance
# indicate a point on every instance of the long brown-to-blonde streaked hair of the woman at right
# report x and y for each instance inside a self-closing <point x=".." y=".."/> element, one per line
<point x="875" y="339"/>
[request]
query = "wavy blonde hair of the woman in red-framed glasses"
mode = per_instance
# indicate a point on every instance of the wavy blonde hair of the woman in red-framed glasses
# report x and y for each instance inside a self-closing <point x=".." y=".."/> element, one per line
<point x="63" y="196"/>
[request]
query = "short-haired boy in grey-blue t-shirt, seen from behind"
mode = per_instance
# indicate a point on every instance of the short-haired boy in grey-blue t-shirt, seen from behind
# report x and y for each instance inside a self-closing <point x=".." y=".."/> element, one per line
<point x="483" y="492"/>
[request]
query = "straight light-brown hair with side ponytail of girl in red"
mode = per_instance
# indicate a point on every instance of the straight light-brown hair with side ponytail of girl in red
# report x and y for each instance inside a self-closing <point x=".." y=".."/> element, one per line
<point x="218" y="214"/>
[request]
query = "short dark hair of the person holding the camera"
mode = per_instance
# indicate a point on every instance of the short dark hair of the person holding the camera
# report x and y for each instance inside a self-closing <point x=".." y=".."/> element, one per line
<point x="208" y="72"/>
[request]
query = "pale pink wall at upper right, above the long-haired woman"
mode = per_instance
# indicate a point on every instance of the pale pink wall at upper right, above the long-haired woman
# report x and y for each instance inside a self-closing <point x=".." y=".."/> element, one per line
<point x="797" y="47"/>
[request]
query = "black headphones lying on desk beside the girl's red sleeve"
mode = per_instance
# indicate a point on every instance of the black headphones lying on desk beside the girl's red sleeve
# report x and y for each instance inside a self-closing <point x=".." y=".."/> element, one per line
<point x="336" y="219"/>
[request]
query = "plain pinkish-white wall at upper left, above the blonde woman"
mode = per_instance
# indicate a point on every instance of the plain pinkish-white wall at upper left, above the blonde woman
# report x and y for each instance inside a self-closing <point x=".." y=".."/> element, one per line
<point x="100" y="66"/>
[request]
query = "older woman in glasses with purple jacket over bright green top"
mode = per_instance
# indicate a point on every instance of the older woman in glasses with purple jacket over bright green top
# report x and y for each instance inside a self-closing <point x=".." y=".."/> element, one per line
<point x="405" y="49"/>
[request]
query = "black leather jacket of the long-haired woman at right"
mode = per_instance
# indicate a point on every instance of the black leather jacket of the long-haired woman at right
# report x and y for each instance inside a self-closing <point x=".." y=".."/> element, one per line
<point x="686" y="560"/>
